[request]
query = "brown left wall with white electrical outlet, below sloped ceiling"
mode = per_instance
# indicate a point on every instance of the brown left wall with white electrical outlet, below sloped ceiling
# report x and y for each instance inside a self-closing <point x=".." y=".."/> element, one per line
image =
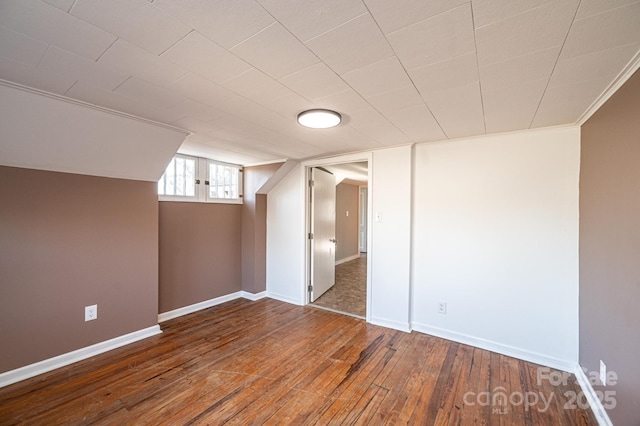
<point x="68" y="241"/>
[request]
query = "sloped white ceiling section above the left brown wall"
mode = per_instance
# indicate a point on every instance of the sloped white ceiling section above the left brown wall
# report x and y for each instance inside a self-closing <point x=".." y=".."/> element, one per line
<point x="48" y="133"/>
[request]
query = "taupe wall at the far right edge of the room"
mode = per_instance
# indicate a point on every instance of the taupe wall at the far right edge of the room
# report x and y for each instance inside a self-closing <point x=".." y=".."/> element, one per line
<point x="610" y="247"/>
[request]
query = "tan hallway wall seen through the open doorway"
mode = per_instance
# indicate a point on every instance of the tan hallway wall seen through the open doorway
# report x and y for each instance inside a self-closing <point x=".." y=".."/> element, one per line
<point x="347" y="226"/>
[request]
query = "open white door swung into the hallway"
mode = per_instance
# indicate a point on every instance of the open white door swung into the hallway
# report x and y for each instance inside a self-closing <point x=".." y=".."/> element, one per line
<point x="323" y="232"/>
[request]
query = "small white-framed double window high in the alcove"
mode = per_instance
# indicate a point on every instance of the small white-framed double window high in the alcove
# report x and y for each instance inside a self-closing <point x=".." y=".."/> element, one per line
<point x="199" y="179"/>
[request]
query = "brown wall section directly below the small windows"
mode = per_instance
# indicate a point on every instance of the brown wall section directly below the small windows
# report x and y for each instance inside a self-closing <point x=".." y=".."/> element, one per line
<point x="200" y="252"/>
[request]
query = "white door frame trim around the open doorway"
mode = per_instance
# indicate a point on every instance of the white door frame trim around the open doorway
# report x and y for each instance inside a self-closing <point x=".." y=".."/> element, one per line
<point x="341" y="159"/>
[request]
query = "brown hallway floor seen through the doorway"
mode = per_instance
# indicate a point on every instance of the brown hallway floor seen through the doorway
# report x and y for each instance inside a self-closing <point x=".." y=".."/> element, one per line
<point x="349" y="294"/>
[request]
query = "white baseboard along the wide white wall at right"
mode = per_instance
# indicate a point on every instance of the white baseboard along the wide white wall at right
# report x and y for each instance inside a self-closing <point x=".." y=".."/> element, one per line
<point x="523" y="354"/>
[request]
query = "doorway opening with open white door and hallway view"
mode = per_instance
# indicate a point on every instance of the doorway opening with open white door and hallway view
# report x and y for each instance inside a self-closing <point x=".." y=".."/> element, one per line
<point x="338" y="262"/>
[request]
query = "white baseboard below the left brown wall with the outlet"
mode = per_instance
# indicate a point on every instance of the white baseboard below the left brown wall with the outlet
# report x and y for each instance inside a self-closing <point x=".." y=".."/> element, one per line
<point x="47" y="365"/>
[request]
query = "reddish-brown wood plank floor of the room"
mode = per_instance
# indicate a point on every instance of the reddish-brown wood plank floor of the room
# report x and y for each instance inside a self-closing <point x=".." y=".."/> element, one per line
<point x="269" y="362"/>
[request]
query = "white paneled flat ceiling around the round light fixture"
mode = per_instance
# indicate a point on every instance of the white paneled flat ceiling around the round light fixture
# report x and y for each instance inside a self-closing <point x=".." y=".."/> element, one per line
<point x="237" y="72"/>
